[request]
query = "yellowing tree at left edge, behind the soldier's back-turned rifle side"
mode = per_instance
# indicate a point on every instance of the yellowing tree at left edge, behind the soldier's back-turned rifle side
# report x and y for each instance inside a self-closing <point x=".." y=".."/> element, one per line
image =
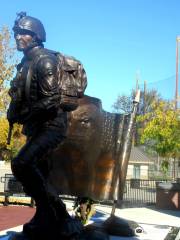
<point x="7" y="66"/>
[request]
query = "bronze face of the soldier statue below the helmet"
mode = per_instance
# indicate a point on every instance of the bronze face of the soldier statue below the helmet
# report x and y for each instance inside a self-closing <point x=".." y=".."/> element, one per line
<point x="23" y="41"/>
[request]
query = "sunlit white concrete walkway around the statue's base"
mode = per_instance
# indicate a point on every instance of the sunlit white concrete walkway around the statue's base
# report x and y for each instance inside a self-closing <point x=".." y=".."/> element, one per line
<point x="154" y="221"/>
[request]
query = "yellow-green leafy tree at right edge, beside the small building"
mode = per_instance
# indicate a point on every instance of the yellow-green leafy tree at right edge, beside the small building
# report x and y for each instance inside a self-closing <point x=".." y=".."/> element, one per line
<point x="162" y="130"/>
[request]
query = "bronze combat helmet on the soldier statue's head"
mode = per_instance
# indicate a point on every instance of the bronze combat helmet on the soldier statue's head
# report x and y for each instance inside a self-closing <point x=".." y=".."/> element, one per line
<point x="31" y="25"/>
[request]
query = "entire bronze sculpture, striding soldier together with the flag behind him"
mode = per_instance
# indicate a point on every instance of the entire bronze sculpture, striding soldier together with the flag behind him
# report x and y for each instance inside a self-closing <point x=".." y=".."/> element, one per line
<point x="91" y="162"/>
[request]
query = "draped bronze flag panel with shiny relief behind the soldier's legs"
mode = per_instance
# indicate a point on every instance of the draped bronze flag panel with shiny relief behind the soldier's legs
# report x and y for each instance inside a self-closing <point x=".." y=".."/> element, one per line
<point x="94" y="157"/>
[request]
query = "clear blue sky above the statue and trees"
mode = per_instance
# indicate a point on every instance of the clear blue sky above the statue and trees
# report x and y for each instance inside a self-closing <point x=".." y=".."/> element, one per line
<point x="116" y="40"/>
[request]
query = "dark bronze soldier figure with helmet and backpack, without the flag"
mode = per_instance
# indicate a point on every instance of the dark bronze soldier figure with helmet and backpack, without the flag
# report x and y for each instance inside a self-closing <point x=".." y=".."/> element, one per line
<point x="40" y="105"/>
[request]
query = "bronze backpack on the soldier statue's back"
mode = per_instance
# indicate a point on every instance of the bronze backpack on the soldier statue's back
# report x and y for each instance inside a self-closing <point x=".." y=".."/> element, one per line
<point x="72" y="81"/>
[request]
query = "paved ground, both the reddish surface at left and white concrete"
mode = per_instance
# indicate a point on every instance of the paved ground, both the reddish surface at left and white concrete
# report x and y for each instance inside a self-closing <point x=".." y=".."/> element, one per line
<point x="150" y="218"/>
